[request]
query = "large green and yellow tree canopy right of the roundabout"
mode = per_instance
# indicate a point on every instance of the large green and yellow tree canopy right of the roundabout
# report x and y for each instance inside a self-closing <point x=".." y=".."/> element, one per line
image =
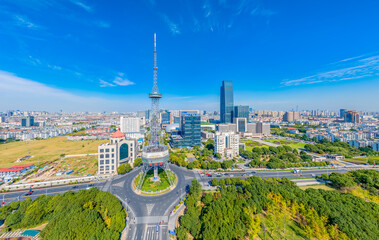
<point x="245" y="209"/>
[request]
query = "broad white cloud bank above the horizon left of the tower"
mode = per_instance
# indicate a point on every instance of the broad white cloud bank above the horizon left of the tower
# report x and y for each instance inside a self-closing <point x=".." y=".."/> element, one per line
<point x="22" y="93"/>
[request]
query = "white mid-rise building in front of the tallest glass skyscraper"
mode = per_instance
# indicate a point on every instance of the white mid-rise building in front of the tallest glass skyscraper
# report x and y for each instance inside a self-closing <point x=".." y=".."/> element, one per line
<point x="227" y="144"/>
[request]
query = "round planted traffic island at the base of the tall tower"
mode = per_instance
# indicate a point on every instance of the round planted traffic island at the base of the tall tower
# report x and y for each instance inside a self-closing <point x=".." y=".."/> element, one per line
<point x="165" y="182"/>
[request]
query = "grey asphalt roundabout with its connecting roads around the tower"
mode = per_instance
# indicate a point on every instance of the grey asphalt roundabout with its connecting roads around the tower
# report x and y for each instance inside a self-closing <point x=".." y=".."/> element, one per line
<point x="146" y="212"/>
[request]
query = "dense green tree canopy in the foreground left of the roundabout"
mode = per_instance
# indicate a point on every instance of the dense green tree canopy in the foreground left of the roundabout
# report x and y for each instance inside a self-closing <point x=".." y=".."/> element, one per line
<point x="87" y="214"/>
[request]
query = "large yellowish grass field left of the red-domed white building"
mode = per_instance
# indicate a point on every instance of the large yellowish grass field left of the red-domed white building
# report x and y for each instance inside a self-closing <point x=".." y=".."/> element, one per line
<point x="46" y="150"/>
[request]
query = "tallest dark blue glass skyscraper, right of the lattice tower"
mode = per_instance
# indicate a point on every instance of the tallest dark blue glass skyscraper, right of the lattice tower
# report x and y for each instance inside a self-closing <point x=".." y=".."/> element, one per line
<point x="226" y="102"/>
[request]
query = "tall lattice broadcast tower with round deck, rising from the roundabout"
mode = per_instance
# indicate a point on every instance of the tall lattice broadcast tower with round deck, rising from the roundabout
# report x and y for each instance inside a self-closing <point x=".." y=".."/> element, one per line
<point x="155" y="154"/>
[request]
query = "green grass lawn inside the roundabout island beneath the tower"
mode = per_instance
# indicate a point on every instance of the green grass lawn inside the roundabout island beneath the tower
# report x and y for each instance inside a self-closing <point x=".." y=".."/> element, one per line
<point x="149" y="185"/>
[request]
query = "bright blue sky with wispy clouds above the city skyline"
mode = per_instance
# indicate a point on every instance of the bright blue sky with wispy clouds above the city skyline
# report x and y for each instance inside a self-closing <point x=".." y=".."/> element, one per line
<point x="81" y="55"/>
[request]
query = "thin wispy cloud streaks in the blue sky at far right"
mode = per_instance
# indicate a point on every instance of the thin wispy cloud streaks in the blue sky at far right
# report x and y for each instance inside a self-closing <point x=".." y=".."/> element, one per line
<point x="352" y="69"/>
